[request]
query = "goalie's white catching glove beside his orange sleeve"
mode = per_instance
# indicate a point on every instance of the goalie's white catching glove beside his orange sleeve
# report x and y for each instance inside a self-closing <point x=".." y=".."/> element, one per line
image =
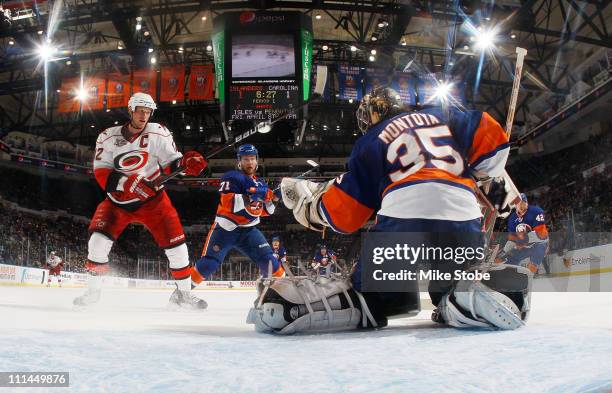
<point x="303" y="197"/>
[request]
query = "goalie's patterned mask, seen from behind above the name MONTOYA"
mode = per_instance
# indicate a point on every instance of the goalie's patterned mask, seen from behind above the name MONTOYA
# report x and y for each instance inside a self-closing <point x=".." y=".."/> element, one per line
<point x="381" y="103"/>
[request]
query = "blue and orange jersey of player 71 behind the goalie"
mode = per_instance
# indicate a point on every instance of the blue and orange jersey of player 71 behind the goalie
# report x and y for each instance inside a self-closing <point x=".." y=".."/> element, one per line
<point x="236" y="207"/>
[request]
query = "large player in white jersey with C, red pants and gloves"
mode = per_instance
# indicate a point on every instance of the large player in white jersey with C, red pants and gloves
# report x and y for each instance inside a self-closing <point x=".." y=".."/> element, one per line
<point x="128" y="160"/>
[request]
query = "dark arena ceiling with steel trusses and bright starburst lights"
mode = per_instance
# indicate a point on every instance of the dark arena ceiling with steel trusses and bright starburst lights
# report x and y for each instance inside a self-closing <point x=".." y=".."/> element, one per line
<point x="434" y="36"/>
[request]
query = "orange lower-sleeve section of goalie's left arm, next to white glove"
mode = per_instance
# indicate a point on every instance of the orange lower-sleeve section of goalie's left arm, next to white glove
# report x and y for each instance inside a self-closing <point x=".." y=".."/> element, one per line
<point x="346" y="213"/>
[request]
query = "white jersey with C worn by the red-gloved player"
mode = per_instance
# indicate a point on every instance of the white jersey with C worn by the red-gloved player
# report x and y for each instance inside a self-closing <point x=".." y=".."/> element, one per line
<point x="118" y="156"/>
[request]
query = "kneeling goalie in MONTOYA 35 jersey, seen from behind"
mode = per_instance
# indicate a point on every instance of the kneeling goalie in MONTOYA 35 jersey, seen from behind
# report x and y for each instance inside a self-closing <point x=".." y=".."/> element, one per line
<point x="416" y="170"/>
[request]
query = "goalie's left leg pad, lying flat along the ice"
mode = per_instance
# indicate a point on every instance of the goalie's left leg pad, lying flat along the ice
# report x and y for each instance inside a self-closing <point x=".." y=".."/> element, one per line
<point x="292" y="305"/>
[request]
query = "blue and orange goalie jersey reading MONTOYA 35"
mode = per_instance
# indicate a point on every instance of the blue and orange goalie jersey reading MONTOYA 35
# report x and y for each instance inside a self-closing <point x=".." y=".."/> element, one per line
<point x="417" y="165"/>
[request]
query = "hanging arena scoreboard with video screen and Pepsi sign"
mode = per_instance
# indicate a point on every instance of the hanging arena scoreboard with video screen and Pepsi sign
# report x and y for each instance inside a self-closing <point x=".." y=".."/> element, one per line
<point x="262" y="64"/>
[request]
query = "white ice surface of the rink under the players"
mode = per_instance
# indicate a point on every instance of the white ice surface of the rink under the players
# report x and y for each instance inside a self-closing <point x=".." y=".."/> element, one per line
<point x="131" y="343"/>
